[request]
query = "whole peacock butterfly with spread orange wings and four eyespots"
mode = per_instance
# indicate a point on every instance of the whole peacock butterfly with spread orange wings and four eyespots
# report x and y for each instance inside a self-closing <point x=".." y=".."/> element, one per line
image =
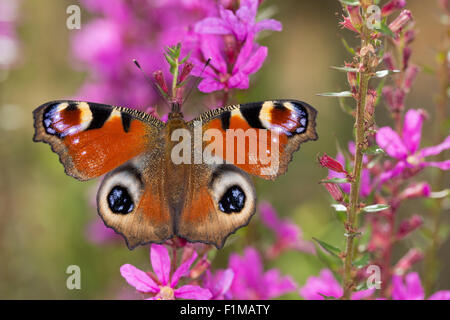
<point x="148" y="194"/>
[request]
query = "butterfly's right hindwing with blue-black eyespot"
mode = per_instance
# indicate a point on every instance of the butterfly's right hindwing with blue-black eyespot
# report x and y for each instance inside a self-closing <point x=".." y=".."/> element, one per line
<point x="219" y="200"/>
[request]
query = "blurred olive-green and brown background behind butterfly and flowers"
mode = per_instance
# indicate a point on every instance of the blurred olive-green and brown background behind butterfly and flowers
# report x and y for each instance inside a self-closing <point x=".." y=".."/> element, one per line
<point x="44" y="213"/>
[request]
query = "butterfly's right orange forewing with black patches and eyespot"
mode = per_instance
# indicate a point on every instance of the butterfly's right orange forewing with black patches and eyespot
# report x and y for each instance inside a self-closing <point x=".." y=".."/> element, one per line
<point x="260" y="137"/>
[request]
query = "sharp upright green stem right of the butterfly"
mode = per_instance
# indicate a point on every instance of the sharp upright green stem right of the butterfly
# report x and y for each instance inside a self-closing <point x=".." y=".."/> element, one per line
<point x="353" y="209"/>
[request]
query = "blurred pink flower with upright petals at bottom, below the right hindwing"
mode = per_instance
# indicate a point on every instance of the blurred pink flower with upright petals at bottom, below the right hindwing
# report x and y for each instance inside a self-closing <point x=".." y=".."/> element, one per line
<point x="250" y="282"/>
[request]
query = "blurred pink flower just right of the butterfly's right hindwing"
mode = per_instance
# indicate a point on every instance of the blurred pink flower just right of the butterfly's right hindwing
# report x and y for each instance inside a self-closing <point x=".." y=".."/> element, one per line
<point x="288" y="234"/>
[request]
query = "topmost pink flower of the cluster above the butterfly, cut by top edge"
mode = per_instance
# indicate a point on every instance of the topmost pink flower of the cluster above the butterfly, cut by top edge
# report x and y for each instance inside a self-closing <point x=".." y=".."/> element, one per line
<point x="240" y="24"/>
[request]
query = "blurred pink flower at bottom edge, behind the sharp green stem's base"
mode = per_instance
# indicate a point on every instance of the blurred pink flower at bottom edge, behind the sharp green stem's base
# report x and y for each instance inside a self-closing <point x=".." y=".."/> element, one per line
<point x="325" y="285"/>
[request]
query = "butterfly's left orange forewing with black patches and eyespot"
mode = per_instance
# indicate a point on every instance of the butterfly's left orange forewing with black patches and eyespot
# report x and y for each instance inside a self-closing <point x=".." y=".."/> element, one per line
<point x="92" y="139"/>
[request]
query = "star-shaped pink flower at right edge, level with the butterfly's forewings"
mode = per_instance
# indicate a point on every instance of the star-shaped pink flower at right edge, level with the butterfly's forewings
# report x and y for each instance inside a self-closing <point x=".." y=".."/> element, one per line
<point x="406" y="148"/>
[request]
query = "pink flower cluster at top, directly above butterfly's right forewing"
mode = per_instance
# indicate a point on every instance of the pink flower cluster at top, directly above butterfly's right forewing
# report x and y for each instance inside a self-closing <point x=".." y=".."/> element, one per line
<point x="229" y="40"/>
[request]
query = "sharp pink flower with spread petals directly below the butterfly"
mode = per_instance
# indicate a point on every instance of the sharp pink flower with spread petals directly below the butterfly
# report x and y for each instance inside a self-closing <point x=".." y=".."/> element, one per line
<point x="161" y="284"/>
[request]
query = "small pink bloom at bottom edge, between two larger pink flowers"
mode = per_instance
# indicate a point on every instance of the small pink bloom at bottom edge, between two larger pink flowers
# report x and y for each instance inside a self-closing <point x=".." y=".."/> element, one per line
<point x="219" y="283"/>
